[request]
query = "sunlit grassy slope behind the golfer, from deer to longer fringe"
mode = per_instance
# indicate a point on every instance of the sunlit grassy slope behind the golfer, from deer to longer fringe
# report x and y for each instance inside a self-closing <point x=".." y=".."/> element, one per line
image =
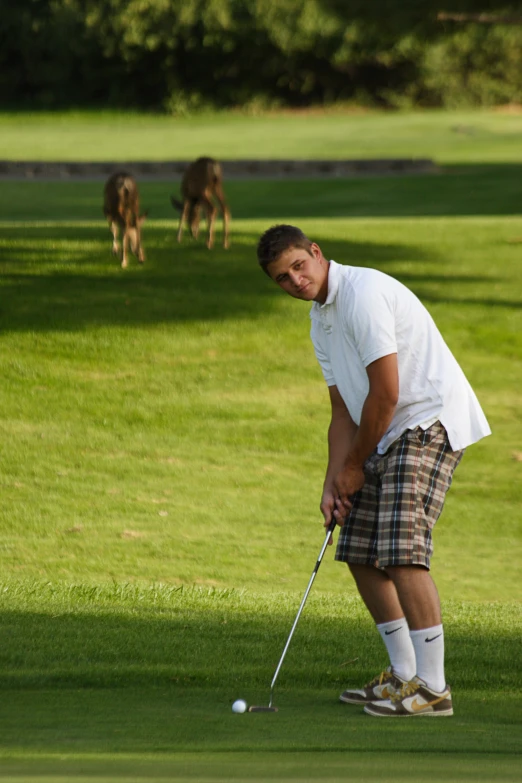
<point x="142" y="409"/>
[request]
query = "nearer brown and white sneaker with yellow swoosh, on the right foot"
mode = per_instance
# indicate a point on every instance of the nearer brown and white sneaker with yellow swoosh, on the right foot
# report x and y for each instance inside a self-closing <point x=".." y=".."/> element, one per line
<point x="414" y="698"/>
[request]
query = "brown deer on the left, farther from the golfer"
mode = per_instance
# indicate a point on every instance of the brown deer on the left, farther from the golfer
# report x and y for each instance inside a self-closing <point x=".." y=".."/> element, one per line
<point x="121" y="207"/>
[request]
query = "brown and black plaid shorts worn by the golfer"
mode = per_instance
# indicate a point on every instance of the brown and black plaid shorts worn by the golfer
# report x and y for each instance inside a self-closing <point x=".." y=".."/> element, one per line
<point x="393" y="515"/>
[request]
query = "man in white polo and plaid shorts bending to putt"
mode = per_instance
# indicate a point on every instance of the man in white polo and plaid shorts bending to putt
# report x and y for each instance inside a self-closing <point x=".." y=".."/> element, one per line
<point x="402" y="414"/>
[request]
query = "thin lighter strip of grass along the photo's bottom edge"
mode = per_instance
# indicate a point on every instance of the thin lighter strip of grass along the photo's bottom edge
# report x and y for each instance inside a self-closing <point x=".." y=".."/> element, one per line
<point x="304" y="766"/>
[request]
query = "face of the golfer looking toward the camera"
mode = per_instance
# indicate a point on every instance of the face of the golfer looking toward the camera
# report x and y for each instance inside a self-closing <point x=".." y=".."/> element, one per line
<point x="301" y="274"/>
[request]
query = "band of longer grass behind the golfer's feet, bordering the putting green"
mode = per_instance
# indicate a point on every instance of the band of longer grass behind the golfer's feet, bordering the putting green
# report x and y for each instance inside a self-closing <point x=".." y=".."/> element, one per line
<point x="64" y="635"/>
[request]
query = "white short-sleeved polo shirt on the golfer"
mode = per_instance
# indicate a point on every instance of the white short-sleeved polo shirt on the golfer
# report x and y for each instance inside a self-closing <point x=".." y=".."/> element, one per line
<point x="368" y="315"/>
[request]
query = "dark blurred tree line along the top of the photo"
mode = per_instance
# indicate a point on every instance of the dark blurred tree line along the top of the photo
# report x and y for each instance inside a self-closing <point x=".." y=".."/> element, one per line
<point x="181" y="56"/>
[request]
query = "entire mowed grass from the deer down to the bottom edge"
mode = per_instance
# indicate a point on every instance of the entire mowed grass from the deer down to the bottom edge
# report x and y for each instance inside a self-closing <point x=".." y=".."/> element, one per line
<point x="163" y="449"/>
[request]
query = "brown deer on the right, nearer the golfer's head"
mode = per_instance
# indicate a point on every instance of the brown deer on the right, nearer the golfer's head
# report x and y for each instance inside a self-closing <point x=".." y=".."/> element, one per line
<point x="201" y="182"/>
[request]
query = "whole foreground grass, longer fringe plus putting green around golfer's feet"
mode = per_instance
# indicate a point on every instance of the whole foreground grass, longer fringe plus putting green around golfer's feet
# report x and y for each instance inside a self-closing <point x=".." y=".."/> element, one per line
<point x="118" y="679"/>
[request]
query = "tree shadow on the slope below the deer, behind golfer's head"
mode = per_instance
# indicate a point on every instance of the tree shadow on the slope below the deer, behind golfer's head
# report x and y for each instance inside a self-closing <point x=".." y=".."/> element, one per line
<point x="70" y="282"/>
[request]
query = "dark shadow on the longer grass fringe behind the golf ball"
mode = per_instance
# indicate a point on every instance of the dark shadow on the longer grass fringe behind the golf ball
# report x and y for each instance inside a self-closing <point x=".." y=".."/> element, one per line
<point x="222" y="646"/>
